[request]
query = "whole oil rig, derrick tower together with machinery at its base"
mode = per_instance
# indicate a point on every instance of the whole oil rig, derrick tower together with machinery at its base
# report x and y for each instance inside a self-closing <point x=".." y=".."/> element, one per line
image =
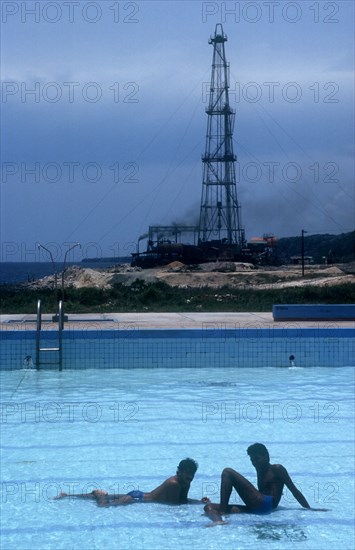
<point x="220" y="234"/>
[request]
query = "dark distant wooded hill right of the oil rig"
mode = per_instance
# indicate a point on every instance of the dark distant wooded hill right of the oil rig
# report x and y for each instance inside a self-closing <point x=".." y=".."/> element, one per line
<point x="336" y="248"/>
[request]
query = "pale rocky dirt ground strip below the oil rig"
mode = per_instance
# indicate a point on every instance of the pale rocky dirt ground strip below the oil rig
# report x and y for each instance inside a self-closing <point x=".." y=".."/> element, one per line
<point x="213" y="275"/>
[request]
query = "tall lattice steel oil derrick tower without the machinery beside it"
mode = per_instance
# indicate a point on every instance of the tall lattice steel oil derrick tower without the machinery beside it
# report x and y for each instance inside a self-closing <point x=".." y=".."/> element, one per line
<point x="220" y="220"/>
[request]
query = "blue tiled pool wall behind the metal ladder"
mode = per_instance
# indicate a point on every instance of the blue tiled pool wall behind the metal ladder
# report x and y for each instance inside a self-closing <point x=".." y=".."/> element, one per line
<point x="182" y="348"/>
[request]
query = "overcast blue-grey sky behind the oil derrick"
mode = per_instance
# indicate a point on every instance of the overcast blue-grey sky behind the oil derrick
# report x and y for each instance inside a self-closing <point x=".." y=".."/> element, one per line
<point x="103" y="119"/>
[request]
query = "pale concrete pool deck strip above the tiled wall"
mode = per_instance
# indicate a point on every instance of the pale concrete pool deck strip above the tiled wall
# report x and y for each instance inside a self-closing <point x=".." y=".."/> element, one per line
<point x="109" y="321"/>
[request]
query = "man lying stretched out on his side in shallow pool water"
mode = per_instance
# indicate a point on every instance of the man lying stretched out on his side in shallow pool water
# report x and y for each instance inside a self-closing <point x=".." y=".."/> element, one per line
<point x="173" y="490"/>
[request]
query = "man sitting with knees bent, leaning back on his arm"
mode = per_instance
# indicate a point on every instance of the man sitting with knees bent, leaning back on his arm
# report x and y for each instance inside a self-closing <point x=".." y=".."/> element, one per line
<point x="271" y="480"/>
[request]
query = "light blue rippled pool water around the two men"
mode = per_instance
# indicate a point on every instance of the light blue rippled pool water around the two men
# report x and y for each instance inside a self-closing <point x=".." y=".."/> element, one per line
<point x="128" y="429"/>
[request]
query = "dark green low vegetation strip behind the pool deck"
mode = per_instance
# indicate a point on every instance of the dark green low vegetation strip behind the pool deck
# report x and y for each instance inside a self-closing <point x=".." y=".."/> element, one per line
<point x="160" y="297"/>
